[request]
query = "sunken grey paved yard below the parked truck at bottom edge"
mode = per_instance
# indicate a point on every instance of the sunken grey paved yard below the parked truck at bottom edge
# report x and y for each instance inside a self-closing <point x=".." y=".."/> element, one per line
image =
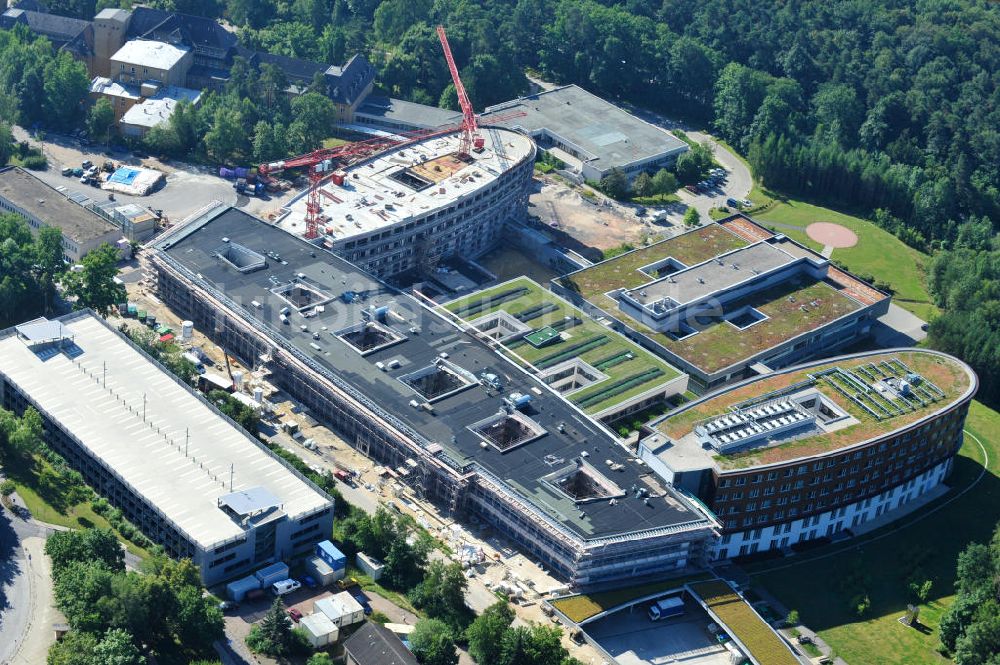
<point x="632" y="639"/>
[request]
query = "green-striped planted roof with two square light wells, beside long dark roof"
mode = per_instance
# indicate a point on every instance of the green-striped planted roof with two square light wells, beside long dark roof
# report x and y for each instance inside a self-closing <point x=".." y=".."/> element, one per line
<point x="593" y="366"/>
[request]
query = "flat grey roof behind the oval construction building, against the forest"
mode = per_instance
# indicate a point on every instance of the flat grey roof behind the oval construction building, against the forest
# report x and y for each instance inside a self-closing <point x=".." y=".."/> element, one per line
<point x="612" y="136"/>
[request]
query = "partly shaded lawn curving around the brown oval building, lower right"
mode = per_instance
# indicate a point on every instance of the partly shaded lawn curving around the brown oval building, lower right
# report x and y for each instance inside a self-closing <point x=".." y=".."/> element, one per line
<point x="931" y="543"/>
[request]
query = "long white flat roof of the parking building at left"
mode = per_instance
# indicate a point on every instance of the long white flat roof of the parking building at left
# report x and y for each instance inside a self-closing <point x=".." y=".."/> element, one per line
<point x="183" y="476"/>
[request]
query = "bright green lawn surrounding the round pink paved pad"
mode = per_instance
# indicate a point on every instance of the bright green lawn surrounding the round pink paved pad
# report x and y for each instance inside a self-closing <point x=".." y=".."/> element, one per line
<point x="878" y="252"/>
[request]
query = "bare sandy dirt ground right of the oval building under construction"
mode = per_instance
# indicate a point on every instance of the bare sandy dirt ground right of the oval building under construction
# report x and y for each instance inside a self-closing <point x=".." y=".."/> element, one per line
<point x="578" y="223"/>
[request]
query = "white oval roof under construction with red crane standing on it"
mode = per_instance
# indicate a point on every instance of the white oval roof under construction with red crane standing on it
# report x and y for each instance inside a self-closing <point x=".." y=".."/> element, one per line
<point x="408" y="182"/>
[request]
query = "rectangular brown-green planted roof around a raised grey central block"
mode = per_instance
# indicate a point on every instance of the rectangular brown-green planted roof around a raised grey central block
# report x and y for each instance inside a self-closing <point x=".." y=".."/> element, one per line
<point x="791" y="308"/>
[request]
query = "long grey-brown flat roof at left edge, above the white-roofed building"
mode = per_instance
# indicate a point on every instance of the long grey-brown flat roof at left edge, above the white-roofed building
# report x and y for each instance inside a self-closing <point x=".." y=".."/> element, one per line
<point x="39" y="199"/>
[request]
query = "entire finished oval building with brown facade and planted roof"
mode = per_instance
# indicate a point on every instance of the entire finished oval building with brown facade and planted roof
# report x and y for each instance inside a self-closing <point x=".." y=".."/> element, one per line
<point x="817" y="450"/>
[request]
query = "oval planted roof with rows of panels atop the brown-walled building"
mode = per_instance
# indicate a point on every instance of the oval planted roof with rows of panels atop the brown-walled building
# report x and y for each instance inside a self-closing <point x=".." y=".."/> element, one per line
<point x="864" y="399"/>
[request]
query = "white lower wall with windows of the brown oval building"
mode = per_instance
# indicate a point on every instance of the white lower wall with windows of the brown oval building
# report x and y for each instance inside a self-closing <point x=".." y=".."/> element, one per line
<point x="850" y="516"/>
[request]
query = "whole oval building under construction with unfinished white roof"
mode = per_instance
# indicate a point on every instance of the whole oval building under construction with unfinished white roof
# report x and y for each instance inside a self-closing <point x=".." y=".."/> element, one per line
<point x="409" y="207"/>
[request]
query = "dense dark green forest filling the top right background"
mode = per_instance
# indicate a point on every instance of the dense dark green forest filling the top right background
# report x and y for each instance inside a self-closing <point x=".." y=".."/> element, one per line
<point x="870" y="104"/>
